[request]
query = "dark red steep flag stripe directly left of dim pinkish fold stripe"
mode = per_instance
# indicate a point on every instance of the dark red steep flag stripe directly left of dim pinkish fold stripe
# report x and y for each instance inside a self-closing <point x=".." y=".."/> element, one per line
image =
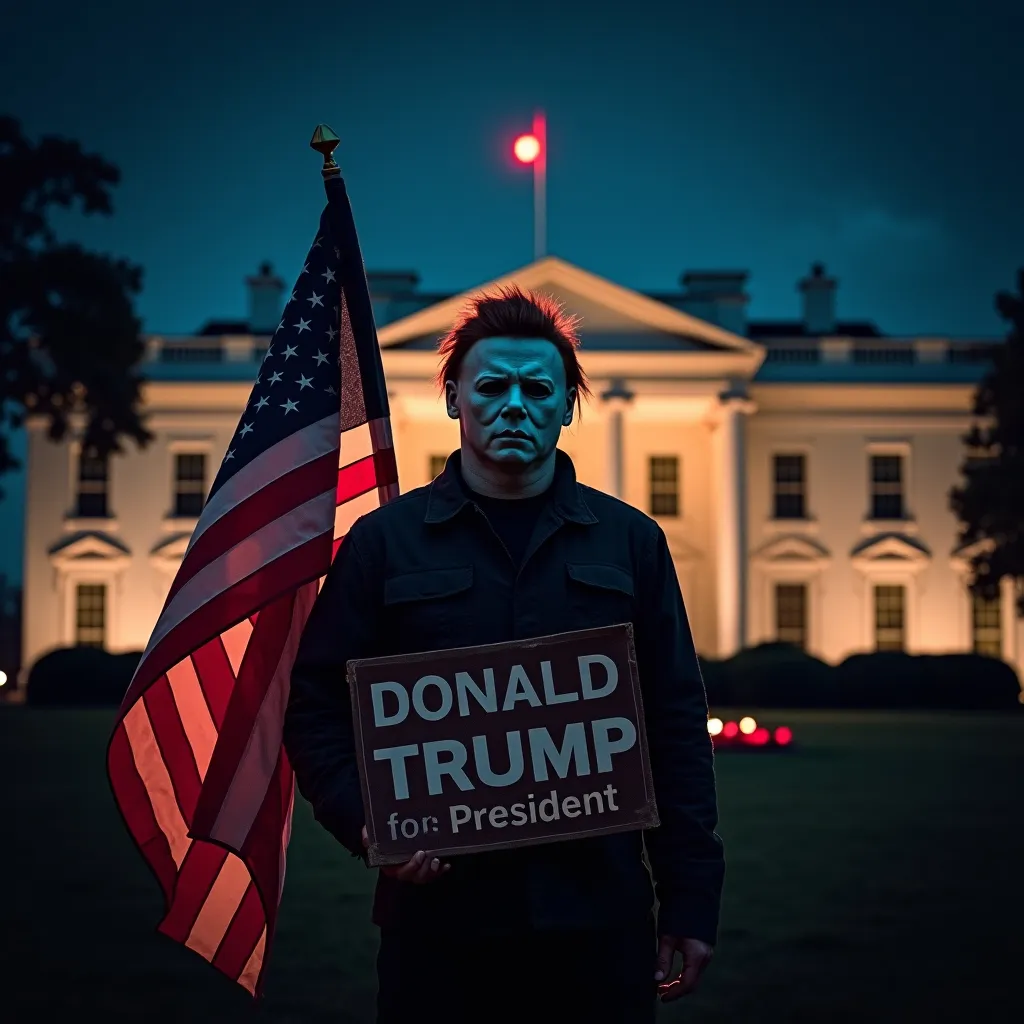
<point x="263" y="655"/>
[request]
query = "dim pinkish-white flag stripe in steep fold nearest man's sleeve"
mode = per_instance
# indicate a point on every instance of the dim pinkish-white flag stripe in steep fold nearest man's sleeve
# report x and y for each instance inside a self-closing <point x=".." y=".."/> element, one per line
<point x="257" y="767"/>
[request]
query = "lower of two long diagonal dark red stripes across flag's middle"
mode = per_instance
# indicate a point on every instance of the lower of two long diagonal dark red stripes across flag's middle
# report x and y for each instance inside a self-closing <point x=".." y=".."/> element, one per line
<point x="302" y="565"/>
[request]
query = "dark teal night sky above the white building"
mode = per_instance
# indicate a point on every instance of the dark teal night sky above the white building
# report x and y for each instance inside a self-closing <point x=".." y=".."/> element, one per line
<point x="883" y="138"/>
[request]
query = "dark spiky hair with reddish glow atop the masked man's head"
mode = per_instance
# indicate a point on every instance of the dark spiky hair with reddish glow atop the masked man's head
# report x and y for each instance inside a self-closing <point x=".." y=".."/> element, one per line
<point x="510" y="313"/>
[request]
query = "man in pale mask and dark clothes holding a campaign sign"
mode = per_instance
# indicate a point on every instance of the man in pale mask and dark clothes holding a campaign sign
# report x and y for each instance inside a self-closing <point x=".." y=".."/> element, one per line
<point x="506" y="545"/>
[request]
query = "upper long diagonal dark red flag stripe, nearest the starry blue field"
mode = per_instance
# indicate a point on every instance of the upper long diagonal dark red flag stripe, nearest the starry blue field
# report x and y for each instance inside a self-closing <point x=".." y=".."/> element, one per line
<point x="270" y="503"/>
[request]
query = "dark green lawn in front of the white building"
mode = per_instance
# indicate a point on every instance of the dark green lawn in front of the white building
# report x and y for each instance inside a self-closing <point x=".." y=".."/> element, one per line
<point x="875" y="874"/>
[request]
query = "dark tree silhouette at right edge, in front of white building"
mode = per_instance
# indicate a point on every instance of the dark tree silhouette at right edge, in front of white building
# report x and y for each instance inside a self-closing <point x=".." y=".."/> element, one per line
<point x="991" y="503"/>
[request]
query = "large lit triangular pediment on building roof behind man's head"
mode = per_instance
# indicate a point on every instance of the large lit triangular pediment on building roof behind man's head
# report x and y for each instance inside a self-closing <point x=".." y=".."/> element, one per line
<point x="614" y="317"/>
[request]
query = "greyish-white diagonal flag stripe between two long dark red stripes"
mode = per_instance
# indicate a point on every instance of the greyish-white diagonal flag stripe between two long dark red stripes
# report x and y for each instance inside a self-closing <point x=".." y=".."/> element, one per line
<point x="252" y="553"/>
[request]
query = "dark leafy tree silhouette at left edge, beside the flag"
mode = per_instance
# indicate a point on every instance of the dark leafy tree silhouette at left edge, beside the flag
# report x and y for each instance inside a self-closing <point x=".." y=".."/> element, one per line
<point x="70" y="343"/>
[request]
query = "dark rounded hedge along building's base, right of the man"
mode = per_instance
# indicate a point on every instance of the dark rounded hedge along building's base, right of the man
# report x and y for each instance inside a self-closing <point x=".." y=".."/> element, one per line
<point x="776" y="675"/>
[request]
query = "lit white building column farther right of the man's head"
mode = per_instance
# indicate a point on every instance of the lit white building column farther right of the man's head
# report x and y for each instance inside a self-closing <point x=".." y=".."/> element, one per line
<point x="732" y="554"/>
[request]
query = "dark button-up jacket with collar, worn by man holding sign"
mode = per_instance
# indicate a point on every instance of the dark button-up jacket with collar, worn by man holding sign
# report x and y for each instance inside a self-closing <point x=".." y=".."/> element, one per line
<point x="426" y="572"/>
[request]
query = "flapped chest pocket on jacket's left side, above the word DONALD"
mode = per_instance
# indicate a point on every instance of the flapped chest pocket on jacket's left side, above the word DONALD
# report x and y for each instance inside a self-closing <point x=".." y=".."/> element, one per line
<point x="429" y="610"/>
